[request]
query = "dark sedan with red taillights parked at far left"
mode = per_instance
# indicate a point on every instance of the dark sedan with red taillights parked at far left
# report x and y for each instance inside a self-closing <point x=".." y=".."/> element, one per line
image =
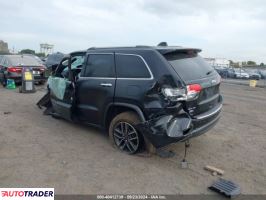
<point x="11" y="68"/>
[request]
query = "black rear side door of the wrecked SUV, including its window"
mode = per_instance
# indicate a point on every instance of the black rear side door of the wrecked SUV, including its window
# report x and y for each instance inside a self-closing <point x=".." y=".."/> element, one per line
<point x="96" y="87"/>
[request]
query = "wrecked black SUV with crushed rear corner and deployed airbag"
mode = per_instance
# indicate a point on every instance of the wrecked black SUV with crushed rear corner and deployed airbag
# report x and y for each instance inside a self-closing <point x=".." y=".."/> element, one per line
<point x="156" y="95"/>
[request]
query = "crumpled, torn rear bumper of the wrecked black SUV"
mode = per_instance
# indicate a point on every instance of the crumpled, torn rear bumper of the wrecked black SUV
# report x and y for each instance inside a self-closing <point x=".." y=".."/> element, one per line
<point x="169" y="129"/>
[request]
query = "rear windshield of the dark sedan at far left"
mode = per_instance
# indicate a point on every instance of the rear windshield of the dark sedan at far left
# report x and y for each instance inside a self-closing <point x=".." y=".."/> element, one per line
<point x="23" y="61"/>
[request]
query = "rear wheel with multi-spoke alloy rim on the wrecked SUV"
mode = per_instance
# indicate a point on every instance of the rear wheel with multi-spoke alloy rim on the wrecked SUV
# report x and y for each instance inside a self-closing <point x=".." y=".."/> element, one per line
<point x="123" y="134"/>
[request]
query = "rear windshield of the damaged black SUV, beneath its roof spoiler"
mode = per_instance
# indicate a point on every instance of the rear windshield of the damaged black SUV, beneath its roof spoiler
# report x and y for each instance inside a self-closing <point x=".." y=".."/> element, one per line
<point x="189" y="66"/>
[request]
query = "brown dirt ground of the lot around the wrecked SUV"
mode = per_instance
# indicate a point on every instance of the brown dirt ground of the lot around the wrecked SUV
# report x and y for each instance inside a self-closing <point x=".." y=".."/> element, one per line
<point x="40" y="151"/>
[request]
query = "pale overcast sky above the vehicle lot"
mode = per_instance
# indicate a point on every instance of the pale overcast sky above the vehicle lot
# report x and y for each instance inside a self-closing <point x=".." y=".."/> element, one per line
<point x="233" y="29"/>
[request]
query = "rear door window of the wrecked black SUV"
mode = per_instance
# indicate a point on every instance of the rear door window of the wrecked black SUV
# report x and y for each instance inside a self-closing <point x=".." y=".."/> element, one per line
<point x="100" y="65"/>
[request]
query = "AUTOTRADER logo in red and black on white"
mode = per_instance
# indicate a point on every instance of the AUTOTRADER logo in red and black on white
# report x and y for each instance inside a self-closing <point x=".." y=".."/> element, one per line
<point x="26" y="193"/>
